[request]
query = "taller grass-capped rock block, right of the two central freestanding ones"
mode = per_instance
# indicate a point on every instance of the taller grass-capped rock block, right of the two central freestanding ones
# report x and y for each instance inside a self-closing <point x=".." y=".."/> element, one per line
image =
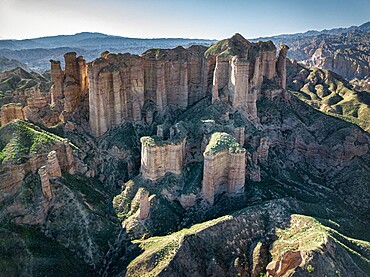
<point x="224" y="166"/>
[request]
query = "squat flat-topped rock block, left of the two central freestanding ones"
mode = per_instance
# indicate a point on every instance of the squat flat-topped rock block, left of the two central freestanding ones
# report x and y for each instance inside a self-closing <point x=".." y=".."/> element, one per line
<point x="161" y="156"/>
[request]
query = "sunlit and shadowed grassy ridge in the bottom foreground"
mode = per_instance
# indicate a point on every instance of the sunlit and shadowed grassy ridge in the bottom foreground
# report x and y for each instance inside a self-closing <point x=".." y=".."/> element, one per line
<point x="230" y="244"/>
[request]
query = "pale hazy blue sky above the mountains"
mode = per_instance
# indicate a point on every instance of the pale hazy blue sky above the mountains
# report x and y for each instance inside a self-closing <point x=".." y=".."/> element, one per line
<point x="176" y="18"/>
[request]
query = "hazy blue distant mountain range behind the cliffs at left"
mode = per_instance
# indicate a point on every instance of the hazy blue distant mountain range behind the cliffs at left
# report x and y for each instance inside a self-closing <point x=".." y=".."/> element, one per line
<point x="37" y="52"/>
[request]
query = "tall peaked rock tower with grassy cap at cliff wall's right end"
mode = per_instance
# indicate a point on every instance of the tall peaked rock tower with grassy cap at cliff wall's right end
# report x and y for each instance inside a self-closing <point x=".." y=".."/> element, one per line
<point x="240" y="70"/>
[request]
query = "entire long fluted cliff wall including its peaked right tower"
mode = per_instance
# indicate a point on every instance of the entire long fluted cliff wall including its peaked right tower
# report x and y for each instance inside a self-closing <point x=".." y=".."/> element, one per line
<point x="131" y="87"/>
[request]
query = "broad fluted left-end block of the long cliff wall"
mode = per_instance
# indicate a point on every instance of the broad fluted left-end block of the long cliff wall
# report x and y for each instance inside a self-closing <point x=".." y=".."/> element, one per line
<point x="116" y="91"/>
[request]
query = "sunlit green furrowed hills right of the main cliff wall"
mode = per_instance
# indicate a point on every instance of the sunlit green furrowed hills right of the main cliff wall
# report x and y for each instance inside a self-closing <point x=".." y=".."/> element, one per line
<point x="330" y="93"/>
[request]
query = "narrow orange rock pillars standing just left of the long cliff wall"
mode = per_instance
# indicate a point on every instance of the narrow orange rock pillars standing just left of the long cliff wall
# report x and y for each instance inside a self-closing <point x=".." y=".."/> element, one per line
<point x="69" y="86"/>
